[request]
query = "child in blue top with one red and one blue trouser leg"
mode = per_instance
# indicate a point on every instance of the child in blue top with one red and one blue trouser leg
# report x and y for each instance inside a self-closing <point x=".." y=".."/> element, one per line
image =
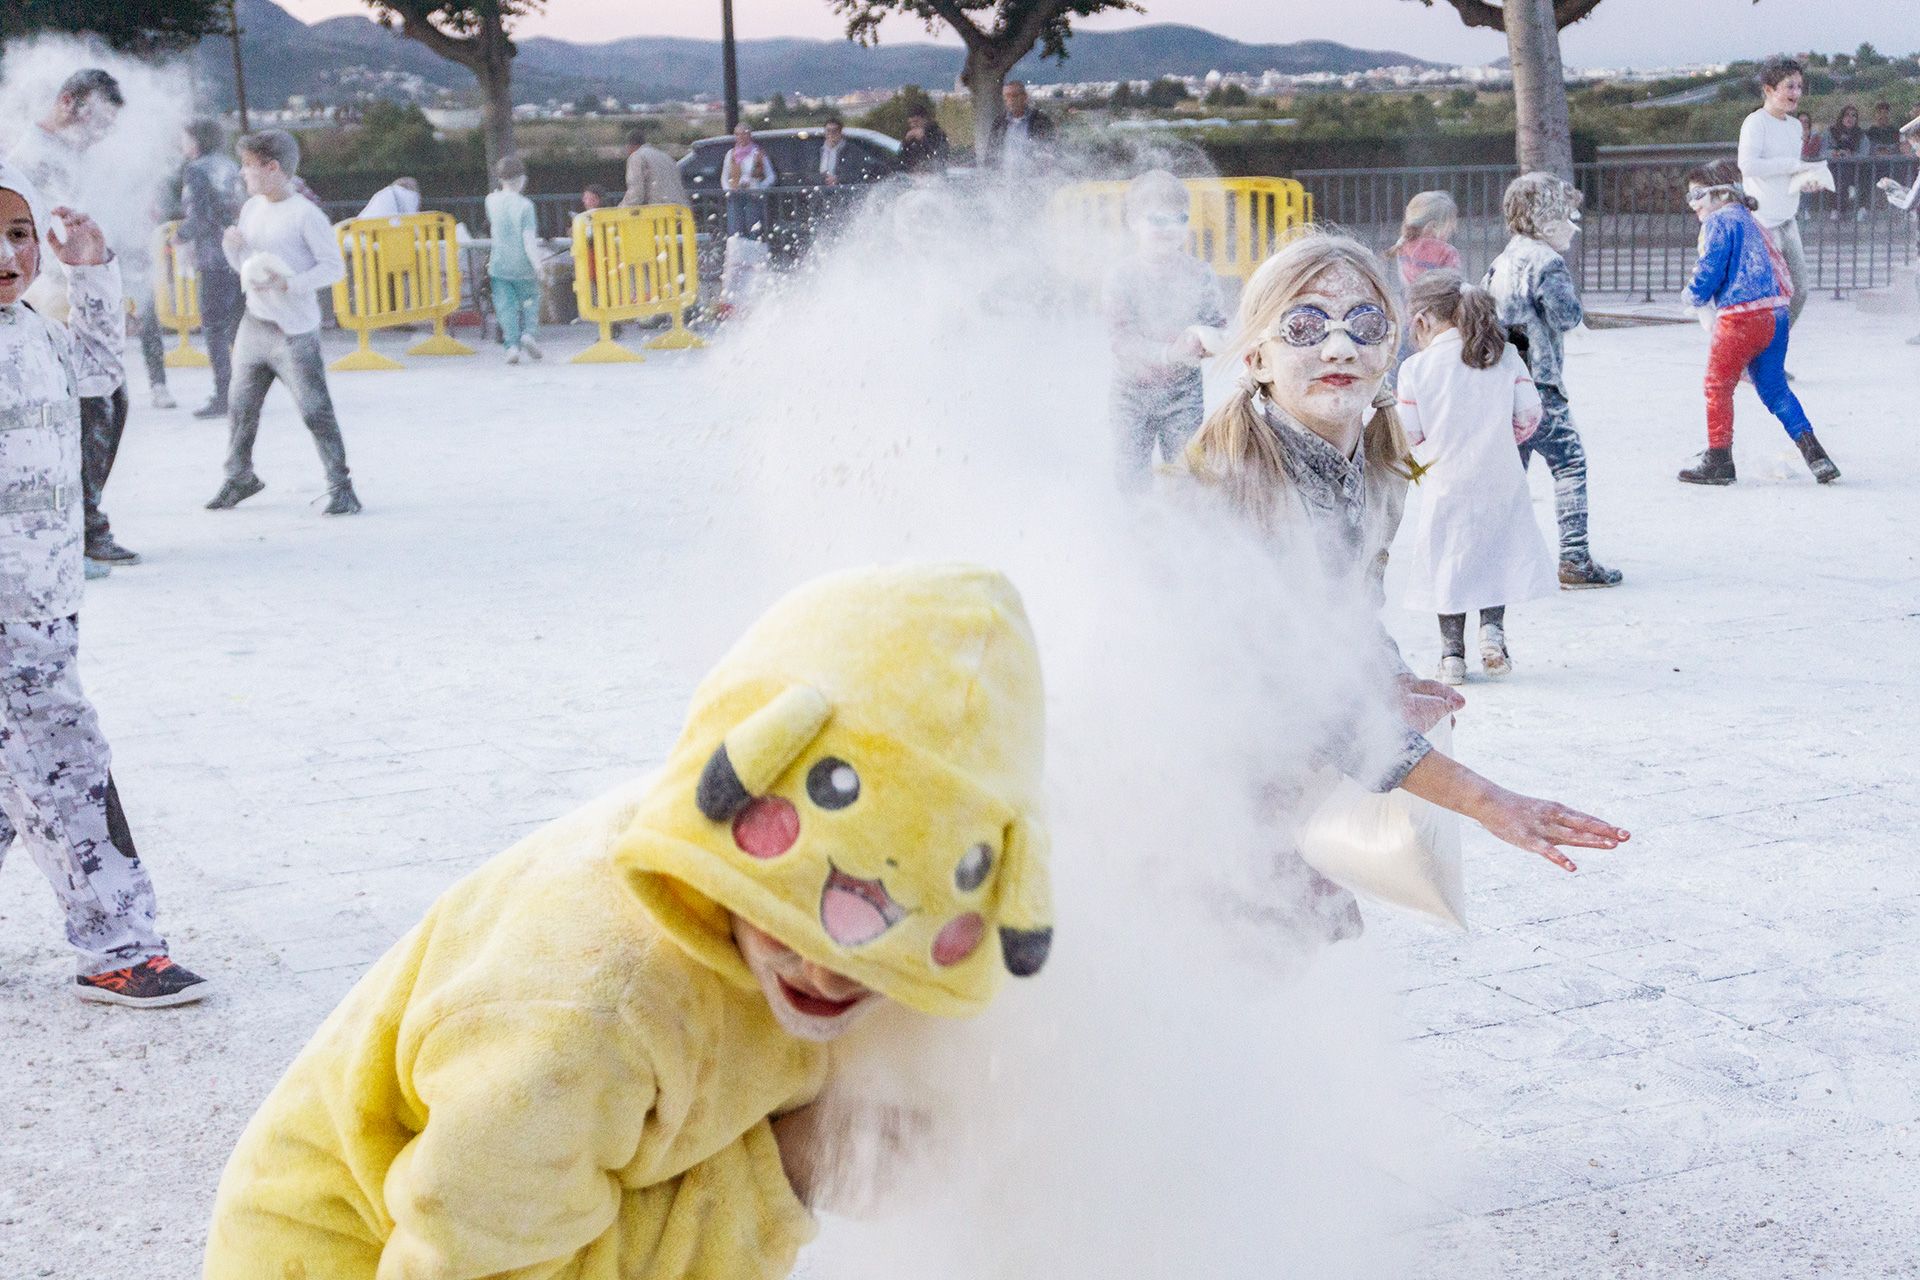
<point x="1746" y="283"/>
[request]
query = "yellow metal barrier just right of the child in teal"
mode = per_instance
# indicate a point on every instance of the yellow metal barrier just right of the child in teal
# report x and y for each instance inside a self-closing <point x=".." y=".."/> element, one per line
<point x="635" y="264"/>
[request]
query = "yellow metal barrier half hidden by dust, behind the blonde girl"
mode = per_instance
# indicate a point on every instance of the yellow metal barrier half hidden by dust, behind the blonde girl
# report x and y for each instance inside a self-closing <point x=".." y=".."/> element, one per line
<point x="1234" y="224"/>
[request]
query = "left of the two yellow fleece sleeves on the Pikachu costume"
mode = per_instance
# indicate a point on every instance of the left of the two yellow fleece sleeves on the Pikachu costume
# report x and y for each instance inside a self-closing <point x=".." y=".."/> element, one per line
<point x="529" y="1110"/>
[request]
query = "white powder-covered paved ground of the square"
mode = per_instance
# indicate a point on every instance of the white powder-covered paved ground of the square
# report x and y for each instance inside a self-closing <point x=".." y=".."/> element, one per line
<point x="1698" y="1056"/>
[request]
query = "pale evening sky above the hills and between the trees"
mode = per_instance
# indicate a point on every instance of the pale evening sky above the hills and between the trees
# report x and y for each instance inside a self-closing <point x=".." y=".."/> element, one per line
<point x="1644" y="34"/>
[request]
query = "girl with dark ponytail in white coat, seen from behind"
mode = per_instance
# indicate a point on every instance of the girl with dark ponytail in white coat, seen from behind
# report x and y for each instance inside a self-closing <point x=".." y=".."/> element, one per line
<point x="1466" y="402"/>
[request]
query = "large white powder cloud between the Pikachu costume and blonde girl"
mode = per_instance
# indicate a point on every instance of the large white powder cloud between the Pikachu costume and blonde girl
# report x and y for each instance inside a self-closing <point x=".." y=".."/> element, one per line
<point x="1191" y="1087"/>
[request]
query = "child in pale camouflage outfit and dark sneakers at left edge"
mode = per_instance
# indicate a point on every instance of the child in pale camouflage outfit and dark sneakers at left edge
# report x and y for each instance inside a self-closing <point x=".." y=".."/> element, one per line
<point x="57" y="792"/>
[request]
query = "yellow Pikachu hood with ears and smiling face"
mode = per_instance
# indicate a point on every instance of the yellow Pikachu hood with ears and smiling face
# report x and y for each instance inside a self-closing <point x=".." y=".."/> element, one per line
<point x="861" y="778"/>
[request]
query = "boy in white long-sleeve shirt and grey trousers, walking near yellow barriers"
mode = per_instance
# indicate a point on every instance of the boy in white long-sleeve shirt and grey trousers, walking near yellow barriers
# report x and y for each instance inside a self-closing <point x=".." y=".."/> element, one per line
<point x="285" y="252"/>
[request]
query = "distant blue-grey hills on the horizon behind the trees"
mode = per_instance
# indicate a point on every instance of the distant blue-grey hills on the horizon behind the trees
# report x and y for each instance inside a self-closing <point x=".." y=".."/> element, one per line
<point x="345" y="57"/>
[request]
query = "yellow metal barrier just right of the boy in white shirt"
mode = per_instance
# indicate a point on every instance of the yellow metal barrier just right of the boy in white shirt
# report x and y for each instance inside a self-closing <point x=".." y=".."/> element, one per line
<point x="400" y="272"/>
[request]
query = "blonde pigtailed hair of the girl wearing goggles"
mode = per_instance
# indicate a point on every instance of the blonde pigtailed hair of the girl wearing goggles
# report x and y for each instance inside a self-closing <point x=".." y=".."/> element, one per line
<point x="1239" y="454"/>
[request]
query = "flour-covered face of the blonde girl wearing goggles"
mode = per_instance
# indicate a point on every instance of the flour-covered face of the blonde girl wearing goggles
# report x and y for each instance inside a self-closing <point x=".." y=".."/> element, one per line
<point x="1330" y="387"/>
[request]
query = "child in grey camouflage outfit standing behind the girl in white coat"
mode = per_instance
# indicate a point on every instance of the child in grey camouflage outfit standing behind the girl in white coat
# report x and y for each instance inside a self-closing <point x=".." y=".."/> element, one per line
<point x="1537" y="302"/>
